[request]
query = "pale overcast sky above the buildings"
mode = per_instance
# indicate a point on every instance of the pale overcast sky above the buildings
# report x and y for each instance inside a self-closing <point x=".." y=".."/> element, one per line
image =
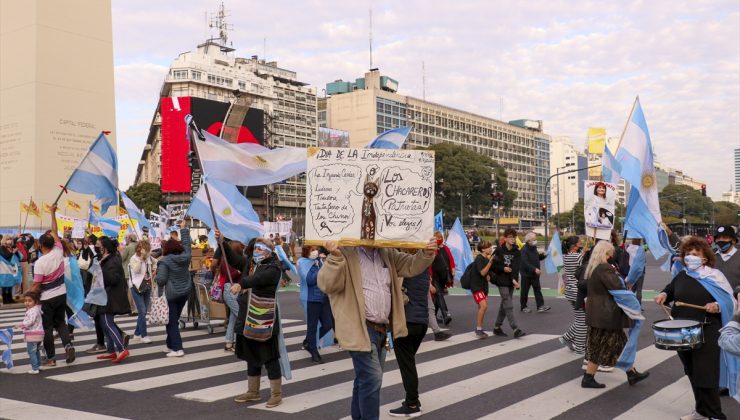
<point x="572" y="64"/>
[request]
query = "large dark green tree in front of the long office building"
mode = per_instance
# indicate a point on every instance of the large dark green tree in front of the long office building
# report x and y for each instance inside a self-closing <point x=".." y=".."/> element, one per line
<point x="467" y="176"/>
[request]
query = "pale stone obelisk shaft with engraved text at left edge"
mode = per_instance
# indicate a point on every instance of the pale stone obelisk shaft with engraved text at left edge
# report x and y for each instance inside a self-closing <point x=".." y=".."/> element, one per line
<point x="56" y="96"/>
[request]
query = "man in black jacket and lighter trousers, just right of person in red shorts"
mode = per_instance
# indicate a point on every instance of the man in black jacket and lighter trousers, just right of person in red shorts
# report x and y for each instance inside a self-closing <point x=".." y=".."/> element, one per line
<point x="506" y="261"/>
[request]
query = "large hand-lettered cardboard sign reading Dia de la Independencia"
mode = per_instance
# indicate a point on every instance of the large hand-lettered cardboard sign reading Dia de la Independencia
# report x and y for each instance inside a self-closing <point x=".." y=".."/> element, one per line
<point x="378" y="197"/>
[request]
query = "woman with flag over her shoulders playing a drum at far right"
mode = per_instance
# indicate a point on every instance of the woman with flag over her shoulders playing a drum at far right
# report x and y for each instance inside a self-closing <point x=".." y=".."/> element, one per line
<point x="701" y="293"/>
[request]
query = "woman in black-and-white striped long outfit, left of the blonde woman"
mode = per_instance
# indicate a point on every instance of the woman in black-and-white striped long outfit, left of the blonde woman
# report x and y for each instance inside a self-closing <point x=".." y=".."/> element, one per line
<point x="575" y="337"/>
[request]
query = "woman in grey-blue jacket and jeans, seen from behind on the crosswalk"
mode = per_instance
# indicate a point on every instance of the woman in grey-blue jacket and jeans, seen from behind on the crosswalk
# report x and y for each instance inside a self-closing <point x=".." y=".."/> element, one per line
<point x="173" y="276"/>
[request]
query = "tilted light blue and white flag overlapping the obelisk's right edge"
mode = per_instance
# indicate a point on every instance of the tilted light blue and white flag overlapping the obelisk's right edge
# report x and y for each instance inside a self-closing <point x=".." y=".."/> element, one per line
<point x="98" y="174"/>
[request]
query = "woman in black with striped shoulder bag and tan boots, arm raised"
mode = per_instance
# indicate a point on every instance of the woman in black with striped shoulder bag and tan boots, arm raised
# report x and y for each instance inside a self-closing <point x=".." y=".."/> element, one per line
<point x="262" y="281"/>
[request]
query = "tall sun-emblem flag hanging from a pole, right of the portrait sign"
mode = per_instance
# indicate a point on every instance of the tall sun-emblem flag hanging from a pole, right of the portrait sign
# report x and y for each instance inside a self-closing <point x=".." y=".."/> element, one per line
<point x="635" y="160"/>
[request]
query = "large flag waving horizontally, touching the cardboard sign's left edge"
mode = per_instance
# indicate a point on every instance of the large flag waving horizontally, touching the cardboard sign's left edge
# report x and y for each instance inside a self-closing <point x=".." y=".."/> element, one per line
<point x="247" y="165"/>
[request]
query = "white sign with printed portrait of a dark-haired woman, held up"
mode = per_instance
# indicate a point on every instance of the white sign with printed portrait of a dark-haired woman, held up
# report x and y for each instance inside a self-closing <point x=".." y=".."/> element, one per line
<point x="599" y="208"/>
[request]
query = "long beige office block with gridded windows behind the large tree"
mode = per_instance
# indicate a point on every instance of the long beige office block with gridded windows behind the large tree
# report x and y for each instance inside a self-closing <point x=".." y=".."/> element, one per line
<point x="370" y="105"/>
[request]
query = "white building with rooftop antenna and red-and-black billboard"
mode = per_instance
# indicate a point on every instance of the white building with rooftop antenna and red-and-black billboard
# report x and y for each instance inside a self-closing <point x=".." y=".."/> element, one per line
<point x="205" y="83"/>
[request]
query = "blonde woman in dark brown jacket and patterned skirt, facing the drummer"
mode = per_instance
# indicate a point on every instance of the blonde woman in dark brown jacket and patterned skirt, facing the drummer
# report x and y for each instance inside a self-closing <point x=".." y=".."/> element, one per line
<point x="605" y="320"/>
